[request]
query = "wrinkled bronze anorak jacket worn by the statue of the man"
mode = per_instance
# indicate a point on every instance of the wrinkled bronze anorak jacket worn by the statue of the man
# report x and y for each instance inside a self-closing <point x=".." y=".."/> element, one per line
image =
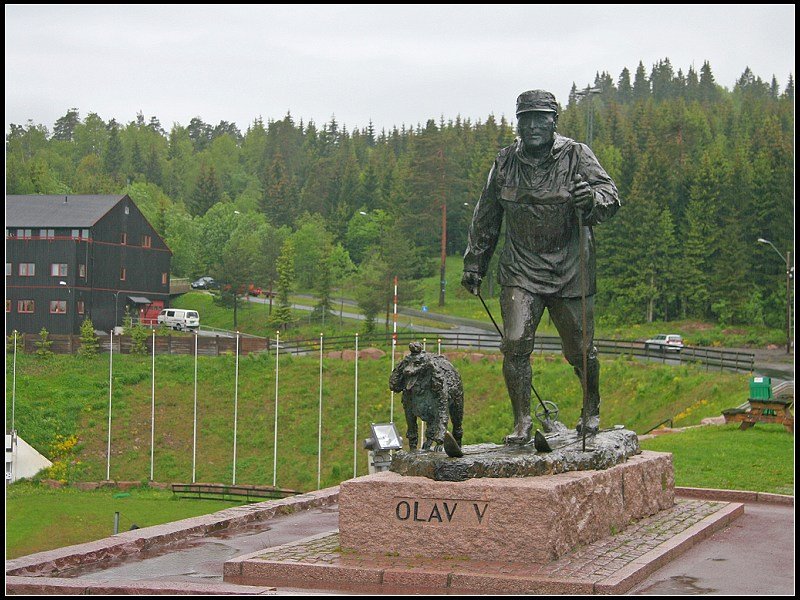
<point x="541" y="251"/>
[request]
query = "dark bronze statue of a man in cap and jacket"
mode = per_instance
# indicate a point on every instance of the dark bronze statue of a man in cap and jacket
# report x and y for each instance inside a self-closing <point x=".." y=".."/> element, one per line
<point x="544" y="185"/>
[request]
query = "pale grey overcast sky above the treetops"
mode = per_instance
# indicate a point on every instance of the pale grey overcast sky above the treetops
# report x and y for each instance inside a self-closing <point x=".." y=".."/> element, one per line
<point x="392" y="64"/>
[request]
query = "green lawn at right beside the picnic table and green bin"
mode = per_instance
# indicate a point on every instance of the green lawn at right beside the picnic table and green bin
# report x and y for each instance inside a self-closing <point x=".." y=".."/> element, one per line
<point x="759" y="459"/>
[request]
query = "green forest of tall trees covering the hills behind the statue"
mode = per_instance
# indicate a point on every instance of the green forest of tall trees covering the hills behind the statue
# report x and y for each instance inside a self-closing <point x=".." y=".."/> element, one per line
<point x="703" y="172"/>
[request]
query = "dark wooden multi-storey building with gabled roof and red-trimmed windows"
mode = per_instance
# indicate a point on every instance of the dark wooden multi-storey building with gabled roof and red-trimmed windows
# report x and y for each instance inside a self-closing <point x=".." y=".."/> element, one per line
<point x="72" y="257"/>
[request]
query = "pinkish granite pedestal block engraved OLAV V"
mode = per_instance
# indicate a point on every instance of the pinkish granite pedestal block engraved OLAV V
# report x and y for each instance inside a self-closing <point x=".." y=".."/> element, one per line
<point x="522" y="519"/>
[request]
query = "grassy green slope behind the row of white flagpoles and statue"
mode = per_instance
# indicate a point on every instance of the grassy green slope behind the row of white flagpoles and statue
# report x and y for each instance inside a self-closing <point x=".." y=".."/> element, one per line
<point x="61" y="408"/>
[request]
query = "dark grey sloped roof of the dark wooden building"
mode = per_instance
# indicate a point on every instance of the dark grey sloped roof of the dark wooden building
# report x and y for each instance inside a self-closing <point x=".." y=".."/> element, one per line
<point x="53" y="211"/>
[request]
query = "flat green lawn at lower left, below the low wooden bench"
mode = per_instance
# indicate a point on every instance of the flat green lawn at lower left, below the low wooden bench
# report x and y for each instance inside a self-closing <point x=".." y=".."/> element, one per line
<point x="40" y="518"/>
